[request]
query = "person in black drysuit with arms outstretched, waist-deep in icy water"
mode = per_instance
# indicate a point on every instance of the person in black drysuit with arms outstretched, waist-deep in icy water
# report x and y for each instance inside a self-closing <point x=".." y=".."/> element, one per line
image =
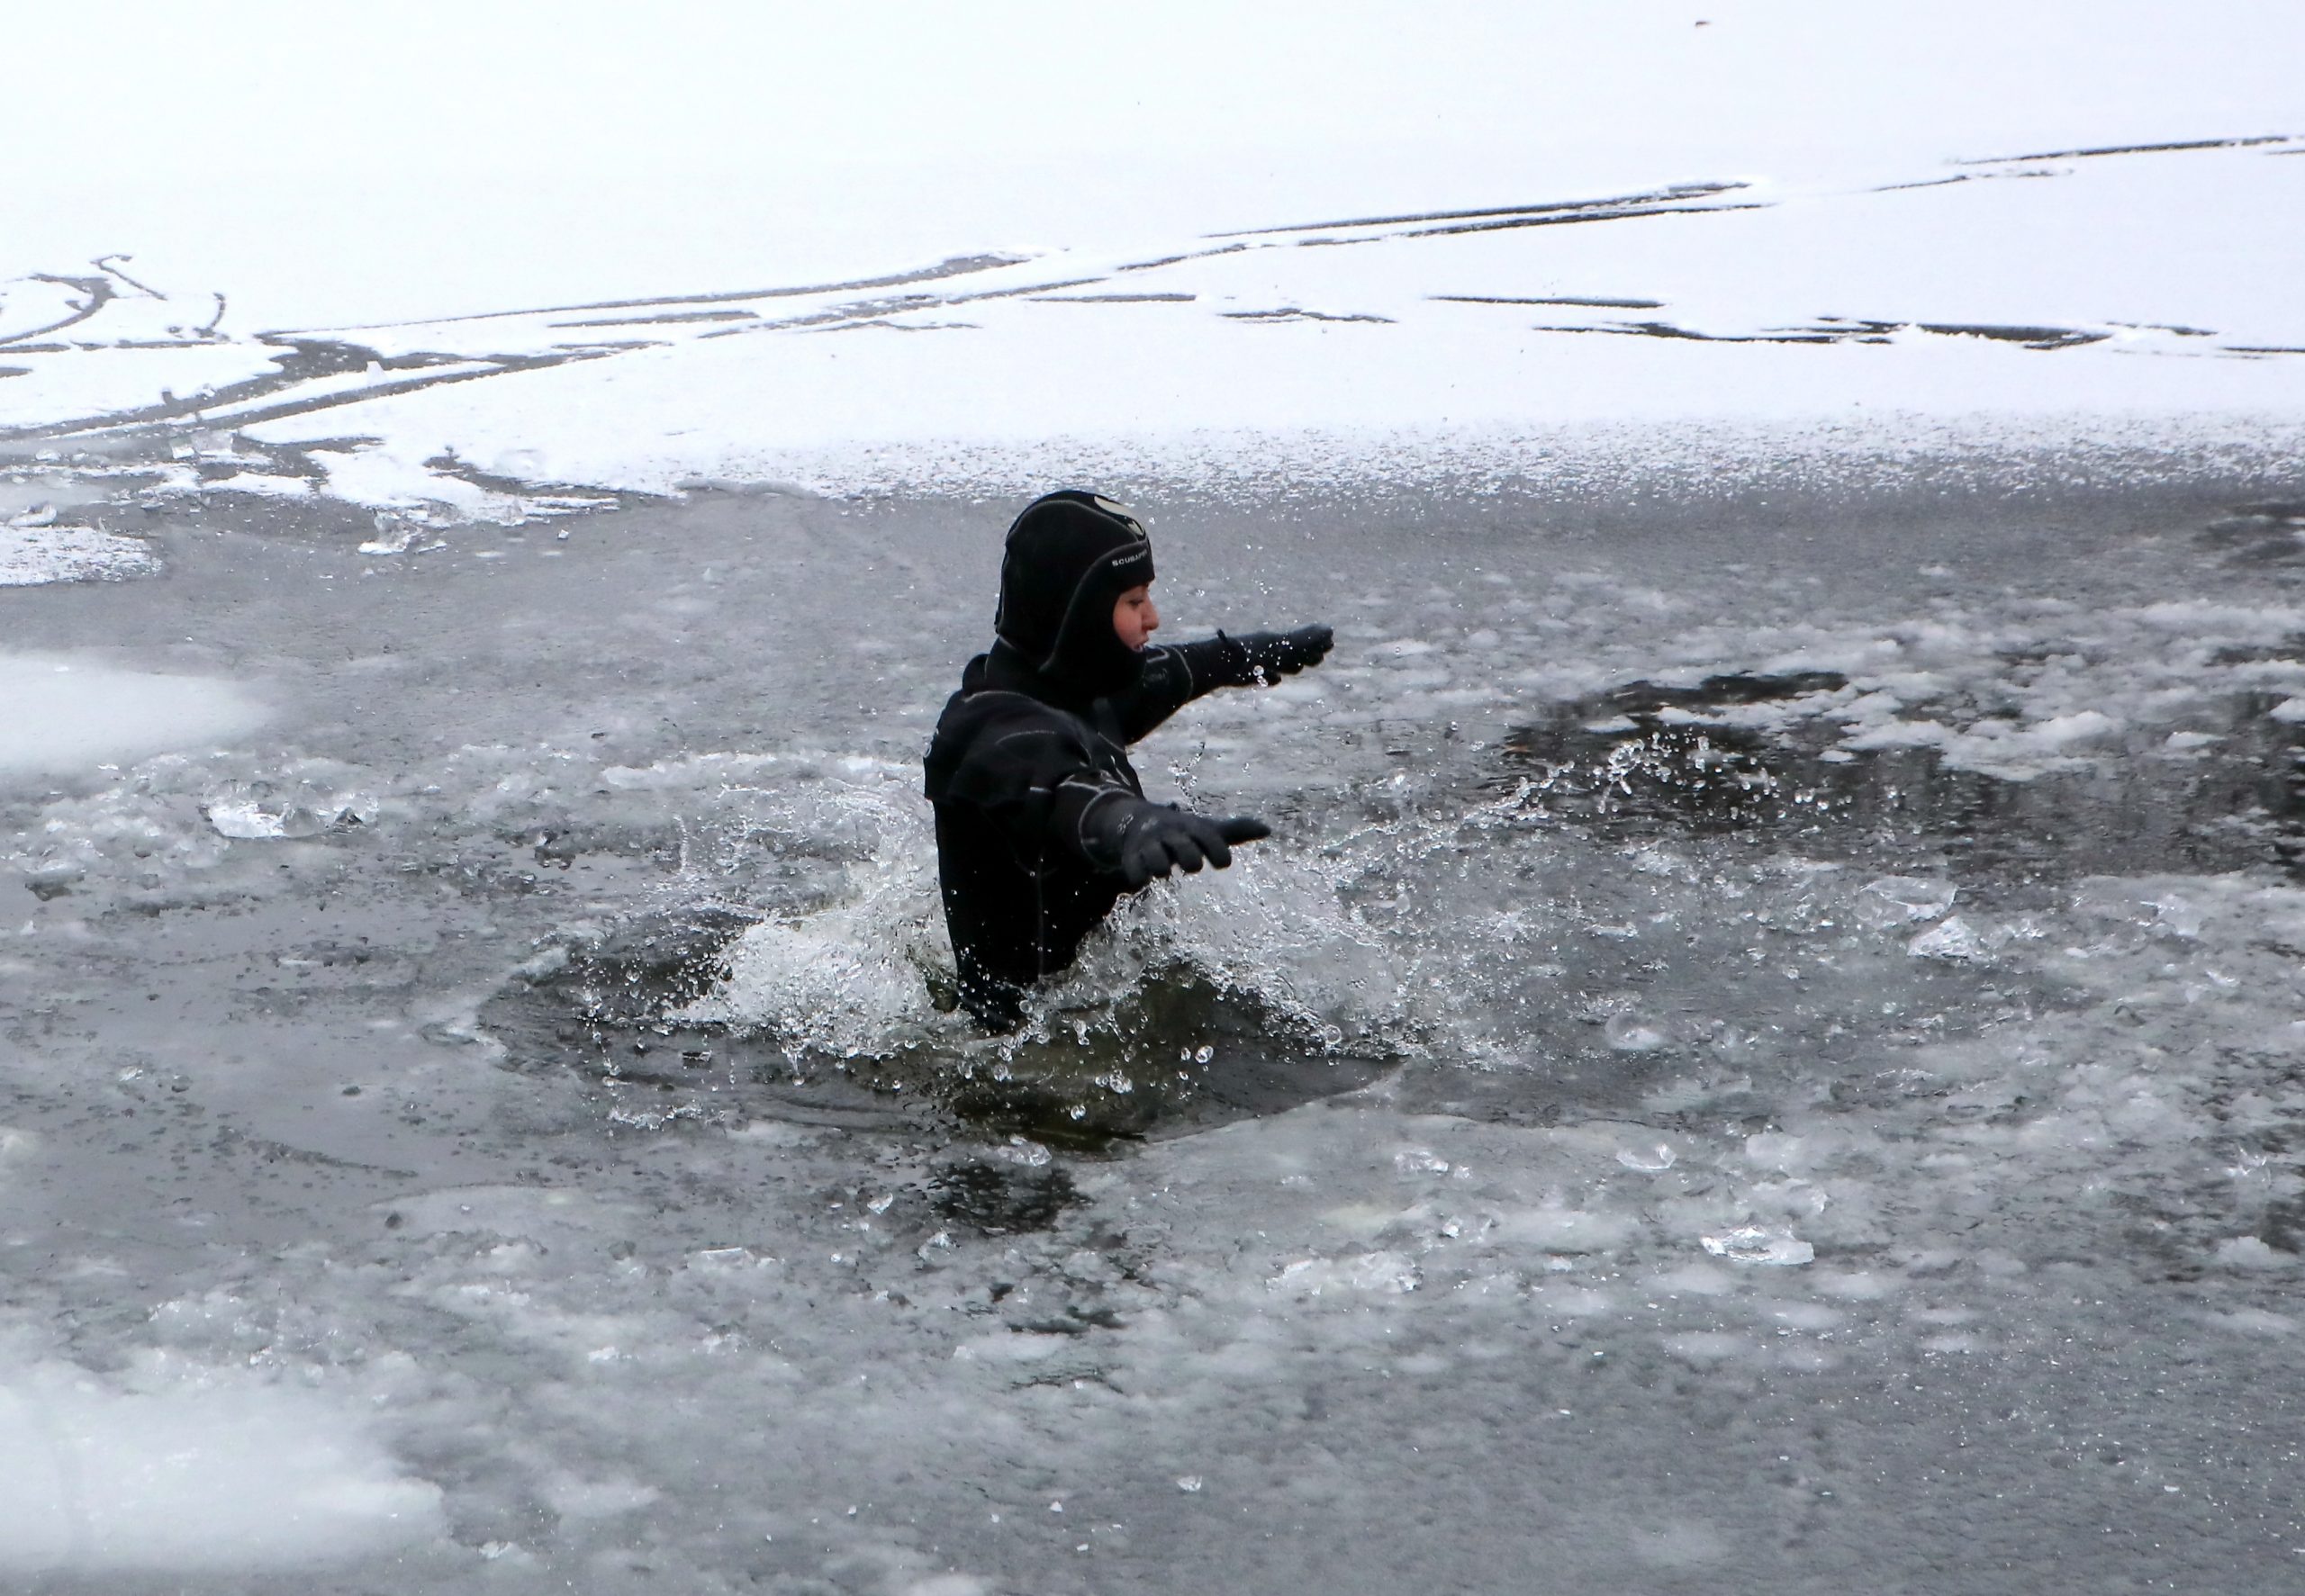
<point x="1041" y="821"/>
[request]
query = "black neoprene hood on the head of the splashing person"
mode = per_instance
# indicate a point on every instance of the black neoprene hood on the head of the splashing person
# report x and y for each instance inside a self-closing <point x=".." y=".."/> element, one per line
<point x="1068" y="561"/>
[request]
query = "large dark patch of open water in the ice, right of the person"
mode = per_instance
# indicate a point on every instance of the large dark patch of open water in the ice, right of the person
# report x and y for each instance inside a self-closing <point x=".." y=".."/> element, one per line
<point x="1656" y="761"/>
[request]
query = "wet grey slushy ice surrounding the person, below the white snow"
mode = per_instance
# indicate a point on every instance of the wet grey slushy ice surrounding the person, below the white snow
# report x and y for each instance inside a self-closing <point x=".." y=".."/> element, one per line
<point x="1762" y="1058"/>
